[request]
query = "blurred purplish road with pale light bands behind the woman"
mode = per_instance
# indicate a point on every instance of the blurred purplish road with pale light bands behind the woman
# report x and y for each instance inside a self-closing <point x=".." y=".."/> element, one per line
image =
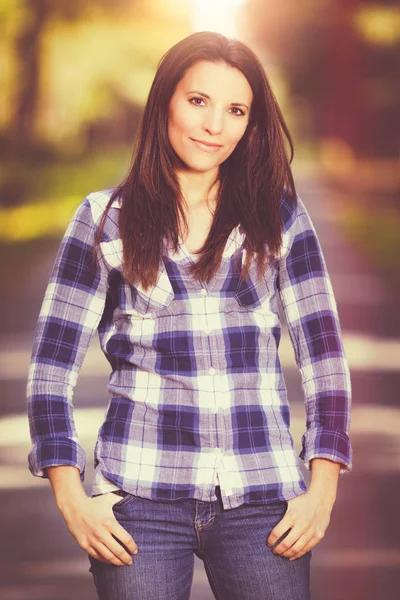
<point x="359" y="558"/>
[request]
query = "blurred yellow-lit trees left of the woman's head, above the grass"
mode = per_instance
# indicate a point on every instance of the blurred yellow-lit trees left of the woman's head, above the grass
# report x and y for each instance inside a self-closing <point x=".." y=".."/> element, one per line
<point x="73" y="79"/>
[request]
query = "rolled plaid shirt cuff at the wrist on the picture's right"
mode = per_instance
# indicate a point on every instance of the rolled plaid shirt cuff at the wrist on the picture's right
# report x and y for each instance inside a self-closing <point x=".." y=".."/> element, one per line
<point x="324" y="442"/>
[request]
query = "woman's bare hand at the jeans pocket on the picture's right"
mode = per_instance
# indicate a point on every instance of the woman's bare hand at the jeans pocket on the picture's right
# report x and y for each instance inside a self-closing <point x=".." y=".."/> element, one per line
<point x="307" y="517"/>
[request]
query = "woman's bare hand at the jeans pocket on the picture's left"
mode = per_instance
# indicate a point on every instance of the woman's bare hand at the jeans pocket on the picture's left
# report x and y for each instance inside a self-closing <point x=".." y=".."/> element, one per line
<point x="92" y="523"/>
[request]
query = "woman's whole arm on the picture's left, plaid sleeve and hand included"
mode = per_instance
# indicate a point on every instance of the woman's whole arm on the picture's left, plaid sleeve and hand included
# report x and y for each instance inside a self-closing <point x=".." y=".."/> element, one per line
<point x="71" y="311"/>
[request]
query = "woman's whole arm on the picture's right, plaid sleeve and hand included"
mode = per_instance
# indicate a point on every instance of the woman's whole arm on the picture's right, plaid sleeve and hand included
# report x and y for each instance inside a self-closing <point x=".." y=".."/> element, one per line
<point x="311" y="313"/>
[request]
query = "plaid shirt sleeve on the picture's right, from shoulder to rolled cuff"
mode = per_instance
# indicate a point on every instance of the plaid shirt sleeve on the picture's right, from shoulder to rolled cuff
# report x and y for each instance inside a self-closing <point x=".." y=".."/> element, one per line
<point x="310" y="309"/>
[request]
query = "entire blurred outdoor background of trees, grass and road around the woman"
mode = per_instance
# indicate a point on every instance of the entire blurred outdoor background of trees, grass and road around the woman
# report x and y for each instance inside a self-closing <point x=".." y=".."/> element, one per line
<point x="74" y="76"/>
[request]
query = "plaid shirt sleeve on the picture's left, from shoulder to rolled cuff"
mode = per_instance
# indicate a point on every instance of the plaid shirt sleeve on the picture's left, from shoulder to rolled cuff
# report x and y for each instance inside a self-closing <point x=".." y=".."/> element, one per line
<point x="71" y="311"/>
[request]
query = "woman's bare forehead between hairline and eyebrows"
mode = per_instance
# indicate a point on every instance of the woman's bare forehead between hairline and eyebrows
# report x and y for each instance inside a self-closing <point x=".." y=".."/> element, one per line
<point x="217" y="80"/>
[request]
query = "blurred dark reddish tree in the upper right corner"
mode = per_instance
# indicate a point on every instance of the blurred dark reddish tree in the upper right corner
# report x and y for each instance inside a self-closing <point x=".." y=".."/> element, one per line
<point x="340" y="58"/>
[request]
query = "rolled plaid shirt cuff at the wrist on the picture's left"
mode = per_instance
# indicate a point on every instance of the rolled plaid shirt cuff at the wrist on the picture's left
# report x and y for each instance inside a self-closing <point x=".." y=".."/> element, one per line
<point x="56" y="452"/>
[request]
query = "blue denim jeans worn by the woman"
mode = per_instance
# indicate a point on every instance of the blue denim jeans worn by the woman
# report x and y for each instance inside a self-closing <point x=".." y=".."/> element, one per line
<point x="232" y="544"/>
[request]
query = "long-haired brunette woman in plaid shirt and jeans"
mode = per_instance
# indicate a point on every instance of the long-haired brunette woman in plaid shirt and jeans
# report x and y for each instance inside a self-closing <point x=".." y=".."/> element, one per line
<point x="179" y="270"/>
